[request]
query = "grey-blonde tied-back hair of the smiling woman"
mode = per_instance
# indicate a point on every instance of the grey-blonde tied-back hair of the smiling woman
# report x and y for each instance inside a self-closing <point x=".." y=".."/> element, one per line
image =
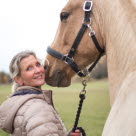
<point x="14" y="66"/>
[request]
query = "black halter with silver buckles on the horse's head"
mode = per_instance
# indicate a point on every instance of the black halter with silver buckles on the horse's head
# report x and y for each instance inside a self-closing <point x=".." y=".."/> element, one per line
<point x="68" y="58"/>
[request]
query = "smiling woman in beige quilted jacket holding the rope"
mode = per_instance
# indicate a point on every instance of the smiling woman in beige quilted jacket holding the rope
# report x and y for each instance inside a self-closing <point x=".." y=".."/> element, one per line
<point x="29" y="111"/>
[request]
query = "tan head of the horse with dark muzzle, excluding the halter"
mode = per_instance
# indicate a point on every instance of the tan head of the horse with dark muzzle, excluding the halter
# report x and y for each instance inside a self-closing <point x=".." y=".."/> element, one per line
<point x="71" y="18"/>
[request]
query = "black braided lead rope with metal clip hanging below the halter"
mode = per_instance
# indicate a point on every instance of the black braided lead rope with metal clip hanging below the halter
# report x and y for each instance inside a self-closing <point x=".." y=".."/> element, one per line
<point x="82" y="98"/>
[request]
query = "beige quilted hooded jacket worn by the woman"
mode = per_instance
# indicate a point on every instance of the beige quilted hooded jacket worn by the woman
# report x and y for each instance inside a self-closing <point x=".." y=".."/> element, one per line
<point x="31" y="114"/>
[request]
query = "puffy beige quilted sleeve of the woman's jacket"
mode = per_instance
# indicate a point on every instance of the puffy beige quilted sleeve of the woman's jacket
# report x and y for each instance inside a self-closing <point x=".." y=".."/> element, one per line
<point x="40" y="119"/>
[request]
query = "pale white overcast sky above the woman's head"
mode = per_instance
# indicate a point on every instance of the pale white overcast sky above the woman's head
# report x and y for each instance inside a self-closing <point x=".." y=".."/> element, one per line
<point x="27" y="25"/>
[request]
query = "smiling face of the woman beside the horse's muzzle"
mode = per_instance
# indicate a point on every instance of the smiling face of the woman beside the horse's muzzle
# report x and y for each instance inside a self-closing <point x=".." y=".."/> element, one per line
<point x="32" y="72"/>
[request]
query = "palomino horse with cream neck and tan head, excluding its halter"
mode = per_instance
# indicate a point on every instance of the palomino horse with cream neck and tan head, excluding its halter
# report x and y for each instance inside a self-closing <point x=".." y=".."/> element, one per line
<point x="114" y="23"/>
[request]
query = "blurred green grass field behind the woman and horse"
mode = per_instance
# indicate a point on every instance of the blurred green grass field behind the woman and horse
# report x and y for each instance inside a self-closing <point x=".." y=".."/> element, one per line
<point x="95" y="108"/>
